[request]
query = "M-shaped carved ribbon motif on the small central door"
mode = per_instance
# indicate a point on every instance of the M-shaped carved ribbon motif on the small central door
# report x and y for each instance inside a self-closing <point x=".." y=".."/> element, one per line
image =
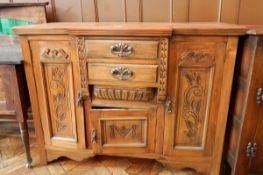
<point x="123" y="131"/>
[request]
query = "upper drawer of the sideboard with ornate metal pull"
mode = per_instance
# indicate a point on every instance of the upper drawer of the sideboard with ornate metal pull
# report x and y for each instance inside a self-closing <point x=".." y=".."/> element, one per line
<point x="121" y="49"/>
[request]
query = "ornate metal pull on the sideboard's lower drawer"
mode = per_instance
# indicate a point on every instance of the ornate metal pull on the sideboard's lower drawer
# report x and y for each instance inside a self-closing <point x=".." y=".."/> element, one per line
<point x="122" y="73"/>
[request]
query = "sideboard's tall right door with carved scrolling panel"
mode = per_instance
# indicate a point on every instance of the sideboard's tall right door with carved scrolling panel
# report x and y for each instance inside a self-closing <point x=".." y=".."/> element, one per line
<point x="194" y="86"/>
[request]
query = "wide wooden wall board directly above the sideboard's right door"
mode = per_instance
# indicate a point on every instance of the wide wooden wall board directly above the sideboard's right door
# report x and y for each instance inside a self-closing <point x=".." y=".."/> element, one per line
<point x="204" y="10"/>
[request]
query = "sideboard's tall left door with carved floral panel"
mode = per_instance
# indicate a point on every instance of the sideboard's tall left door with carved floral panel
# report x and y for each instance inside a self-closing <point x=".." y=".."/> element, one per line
<point x="55" y="68"/>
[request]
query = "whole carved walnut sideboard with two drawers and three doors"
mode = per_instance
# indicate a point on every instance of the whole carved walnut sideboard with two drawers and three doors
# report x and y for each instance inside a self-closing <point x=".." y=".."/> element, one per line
<point x="147" y="90"/>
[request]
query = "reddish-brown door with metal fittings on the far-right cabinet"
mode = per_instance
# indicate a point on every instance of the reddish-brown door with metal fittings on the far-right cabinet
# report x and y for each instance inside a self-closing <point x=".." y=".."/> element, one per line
<point x="253" y="123"/>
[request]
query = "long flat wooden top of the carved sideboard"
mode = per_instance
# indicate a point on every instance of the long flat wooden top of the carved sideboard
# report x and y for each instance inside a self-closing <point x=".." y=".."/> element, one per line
<point x="132" y="29"/>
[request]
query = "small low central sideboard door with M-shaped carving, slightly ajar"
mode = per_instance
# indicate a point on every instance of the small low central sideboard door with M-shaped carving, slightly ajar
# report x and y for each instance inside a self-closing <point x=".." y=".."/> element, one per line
<point x="123" y="131"/>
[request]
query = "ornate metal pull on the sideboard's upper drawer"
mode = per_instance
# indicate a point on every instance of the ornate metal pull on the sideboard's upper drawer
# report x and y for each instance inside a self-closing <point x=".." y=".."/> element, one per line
<point x="121" y="49"/>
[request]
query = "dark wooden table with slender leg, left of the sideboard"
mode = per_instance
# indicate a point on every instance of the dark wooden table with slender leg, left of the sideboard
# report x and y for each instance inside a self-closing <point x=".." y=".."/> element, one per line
<point x="13" y="103"/>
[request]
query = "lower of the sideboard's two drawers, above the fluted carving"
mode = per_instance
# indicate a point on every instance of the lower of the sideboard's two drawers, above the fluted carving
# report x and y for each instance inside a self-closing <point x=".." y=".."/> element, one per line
<point x="122" y="72"/>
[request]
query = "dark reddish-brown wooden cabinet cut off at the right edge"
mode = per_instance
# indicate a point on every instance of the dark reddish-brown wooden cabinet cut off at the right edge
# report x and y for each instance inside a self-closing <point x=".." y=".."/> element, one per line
<point x="245" y="149"/>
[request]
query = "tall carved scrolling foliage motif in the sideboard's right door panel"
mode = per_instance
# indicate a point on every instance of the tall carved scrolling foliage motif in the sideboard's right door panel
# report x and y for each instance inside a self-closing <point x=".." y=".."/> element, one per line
<point x="192" y="103"/>
